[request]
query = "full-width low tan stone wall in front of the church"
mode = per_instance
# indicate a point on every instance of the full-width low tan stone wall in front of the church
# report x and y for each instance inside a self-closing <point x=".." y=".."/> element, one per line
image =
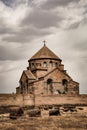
<point x="37" y="100"/>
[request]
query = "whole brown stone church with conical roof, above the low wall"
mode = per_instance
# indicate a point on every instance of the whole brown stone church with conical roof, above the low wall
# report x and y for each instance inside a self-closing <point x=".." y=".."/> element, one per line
<point x="46" y="75"/>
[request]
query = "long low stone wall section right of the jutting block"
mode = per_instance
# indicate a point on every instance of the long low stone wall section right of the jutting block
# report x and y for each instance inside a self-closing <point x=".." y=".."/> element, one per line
<point x="61" y="100"/>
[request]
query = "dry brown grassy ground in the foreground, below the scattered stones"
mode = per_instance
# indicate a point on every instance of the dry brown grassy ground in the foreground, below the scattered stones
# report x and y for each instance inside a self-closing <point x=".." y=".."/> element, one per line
<point x="66" y="122"/>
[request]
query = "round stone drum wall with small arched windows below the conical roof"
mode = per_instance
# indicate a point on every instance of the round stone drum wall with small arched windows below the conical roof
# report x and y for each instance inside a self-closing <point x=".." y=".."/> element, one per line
<point x="40" y="70"/>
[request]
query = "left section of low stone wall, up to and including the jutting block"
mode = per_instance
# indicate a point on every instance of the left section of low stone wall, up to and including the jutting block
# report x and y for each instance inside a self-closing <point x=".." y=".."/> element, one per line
<point x="16" y="100"/>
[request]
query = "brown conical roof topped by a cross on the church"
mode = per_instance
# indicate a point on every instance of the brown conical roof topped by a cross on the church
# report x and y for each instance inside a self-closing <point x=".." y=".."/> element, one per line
<point x="44" y="53"/>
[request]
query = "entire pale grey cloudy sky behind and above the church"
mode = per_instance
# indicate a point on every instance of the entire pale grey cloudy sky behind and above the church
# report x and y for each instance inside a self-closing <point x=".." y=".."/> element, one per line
<point x="24" y="24"/>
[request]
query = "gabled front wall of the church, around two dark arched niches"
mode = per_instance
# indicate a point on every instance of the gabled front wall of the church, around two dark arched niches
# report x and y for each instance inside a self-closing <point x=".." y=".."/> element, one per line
<point x="57" y="77"/>
